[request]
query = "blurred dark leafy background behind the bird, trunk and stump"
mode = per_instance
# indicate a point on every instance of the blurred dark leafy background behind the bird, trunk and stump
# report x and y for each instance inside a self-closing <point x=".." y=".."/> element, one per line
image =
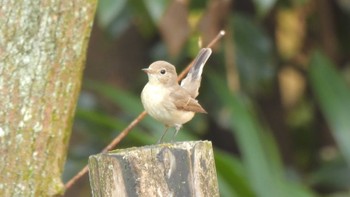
<point x="276" y="89"/>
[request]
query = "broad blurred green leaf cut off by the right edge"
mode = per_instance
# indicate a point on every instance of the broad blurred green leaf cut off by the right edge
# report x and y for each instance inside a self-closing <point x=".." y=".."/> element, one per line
<point x="333" y="96"/>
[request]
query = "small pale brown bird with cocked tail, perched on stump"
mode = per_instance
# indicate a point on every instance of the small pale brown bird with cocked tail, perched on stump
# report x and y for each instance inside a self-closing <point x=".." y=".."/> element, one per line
<point x="167" y="101"/>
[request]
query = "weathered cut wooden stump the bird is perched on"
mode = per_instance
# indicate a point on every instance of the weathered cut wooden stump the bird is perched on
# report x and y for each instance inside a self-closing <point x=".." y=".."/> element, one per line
<point x="176" y="169"/>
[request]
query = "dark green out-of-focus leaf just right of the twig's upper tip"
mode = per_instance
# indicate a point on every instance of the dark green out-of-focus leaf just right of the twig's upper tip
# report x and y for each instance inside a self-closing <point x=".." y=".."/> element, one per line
<point x="254" y="52"/>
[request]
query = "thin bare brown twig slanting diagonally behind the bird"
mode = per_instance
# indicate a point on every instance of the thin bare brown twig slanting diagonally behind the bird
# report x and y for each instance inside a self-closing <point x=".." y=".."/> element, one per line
<point x="125" y="132"/>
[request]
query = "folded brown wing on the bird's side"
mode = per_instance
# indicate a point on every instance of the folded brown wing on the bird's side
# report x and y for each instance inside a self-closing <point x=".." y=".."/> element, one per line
<point x="183" y="101"/>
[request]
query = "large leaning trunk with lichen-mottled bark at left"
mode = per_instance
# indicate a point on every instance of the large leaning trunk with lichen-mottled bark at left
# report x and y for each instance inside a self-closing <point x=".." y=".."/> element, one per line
<point x="42" y="54"/>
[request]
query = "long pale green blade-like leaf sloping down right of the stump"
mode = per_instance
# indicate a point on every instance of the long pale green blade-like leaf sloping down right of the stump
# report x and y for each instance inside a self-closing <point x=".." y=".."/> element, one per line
<point x="258" y="149"/>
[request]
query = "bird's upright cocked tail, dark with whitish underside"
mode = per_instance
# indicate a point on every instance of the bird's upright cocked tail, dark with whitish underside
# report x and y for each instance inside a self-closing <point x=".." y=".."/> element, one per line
<point x="193" y="79"/>
